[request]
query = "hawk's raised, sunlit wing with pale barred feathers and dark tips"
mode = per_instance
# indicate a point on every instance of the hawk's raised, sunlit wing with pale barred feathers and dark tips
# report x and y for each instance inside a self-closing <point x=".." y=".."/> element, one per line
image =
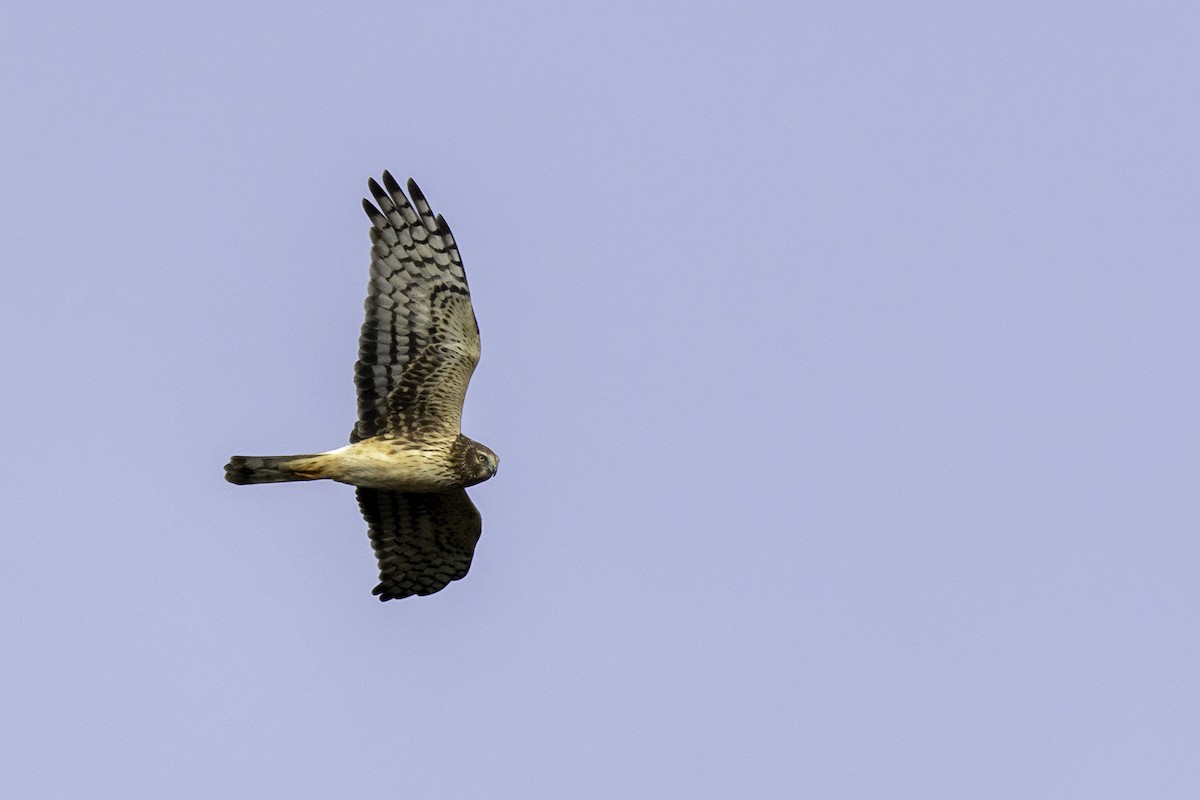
<point x="418" y="298"/>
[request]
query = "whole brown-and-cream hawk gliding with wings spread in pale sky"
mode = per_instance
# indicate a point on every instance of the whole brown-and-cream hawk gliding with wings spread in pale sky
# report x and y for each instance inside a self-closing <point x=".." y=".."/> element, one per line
<point x="407" y="455"/>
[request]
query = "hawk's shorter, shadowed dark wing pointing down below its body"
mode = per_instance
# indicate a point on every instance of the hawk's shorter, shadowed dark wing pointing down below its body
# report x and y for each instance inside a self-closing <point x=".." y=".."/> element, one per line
<point x="423" y="542"/>
